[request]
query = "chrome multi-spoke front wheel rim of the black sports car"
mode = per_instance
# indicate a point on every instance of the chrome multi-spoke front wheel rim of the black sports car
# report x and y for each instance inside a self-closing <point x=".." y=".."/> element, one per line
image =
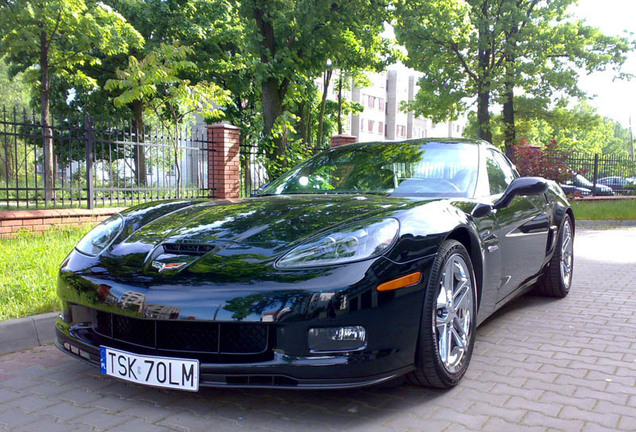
<point x="453" y="313"/>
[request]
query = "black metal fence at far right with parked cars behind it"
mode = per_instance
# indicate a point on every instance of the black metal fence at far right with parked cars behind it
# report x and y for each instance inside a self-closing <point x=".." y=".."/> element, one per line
<point x="616" y="172"/>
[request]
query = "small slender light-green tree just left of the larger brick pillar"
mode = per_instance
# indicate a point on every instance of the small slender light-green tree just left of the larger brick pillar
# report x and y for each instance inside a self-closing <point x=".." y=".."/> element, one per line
<point x="157" y="80"/>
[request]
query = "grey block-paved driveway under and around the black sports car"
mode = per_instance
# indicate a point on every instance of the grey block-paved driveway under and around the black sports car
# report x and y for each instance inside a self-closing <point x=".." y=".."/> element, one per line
<point x="539" y="365"/>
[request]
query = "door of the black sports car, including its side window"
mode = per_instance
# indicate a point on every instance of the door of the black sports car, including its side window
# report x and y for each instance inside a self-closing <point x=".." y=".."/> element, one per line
<point x="521" y="228"/>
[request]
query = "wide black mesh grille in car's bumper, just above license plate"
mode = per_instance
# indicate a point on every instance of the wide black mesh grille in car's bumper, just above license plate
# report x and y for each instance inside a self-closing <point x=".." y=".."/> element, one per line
<point x="188" y="336"/>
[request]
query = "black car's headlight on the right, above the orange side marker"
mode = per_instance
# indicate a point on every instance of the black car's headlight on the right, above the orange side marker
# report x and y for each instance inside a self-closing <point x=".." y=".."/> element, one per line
<point x="351" y="243"/>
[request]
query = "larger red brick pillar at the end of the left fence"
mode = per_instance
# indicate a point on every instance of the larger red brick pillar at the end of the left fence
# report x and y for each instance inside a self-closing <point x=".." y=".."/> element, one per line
<point x="223" y="160"/>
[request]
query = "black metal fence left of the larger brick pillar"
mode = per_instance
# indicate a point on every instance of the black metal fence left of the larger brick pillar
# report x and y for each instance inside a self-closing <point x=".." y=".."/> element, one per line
<point x="98" y="163"/>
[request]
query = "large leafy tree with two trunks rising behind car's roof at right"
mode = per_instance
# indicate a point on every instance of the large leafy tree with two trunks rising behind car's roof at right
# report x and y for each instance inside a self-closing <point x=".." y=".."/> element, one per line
<point x="485" y="49"/>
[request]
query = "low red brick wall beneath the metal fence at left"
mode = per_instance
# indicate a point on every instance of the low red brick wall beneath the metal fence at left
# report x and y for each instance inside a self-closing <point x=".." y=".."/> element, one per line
<point x="41" y="220"/>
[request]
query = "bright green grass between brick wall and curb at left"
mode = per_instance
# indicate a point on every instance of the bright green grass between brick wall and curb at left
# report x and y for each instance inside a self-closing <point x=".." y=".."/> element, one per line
<point x="28" y="270"/>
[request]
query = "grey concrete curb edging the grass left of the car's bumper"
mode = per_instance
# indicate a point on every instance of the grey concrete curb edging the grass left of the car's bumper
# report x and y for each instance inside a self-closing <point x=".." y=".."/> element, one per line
<point x="23" y="333"/>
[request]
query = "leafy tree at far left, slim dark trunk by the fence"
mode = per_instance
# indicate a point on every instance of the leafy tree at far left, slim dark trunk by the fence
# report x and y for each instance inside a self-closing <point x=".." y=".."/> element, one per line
<point x="49" y="38"/>
